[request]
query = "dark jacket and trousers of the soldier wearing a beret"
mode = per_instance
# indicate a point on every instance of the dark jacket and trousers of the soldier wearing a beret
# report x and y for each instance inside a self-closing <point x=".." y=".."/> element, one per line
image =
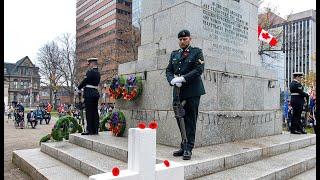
<point x="188" y="63"/>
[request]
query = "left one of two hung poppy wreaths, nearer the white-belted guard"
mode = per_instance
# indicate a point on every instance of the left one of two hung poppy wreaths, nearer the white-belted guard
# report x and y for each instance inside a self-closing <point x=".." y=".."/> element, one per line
<point x="116" y="87"/>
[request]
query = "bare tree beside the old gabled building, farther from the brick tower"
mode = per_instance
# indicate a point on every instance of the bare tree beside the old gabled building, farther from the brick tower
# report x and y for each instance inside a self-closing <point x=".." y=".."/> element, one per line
<point x="49" y="59"/>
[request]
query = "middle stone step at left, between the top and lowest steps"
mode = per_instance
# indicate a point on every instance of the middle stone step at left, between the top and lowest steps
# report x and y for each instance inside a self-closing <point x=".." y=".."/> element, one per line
<point x="84" y="160"/>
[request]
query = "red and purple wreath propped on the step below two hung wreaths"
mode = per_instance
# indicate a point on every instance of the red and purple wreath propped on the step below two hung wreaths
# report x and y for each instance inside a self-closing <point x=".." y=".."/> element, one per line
<point x="117" y="123"/>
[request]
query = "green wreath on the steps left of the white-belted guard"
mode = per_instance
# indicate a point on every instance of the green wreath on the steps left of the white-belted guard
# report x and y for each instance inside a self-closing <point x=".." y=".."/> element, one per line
<point x="63" y="127"/>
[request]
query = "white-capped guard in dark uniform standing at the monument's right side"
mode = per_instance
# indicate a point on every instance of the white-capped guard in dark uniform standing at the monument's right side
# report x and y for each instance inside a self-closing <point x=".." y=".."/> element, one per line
<point x="297" y="103"/>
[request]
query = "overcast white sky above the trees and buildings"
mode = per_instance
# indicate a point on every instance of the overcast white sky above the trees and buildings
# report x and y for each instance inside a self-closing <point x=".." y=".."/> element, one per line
<point x="29" y="24"/>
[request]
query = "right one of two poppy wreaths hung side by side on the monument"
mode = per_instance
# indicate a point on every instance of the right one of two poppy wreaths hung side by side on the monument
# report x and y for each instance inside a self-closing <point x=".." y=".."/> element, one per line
<point x="132" y="88"/>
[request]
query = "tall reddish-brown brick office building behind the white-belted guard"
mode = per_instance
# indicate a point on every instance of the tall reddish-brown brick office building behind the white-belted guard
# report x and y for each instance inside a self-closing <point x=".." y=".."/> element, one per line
<point x="104" y="30"/>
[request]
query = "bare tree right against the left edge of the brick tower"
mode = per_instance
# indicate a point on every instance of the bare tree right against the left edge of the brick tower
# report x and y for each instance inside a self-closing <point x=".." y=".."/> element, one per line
<point x="68" y="59"/>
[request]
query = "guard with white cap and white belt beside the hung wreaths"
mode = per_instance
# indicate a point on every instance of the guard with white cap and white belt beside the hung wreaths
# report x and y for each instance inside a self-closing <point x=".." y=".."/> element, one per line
<point x="91" y="97"/>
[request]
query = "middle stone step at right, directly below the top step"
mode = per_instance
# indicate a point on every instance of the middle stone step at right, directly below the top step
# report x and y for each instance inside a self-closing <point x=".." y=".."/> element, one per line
<point x="283" y="166"/>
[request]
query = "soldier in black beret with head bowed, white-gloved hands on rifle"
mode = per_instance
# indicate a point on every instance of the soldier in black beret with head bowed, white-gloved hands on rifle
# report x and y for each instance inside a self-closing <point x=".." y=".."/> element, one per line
<point x="184" y="71"/>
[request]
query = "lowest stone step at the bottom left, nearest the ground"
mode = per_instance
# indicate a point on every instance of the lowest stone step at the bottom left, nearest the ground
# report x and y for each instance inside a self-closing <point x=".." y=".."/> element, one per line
<point x="41" y="166"/>
